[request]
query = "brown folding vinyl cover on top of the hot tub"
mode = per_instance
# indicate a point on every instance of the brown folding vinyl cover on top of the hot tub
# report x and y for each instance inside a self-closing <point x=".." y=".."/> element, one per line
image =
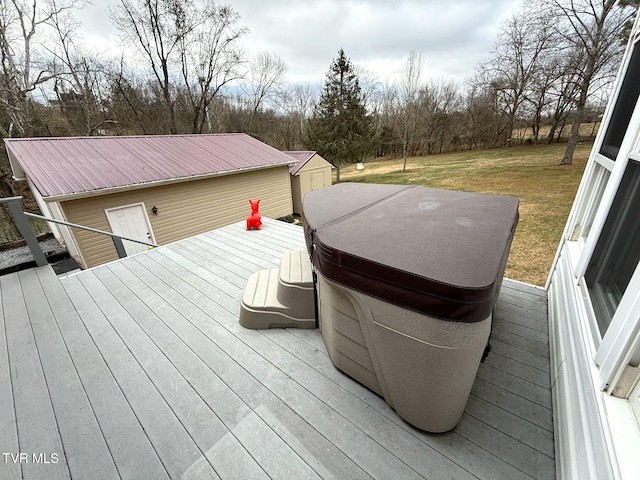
<point x="441" y="253"/>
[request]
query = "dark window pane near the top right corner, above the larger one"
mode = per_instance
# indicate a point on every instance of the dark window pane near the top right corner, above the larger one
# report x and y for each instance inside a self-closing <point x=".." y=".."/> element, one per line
<point x="625" y="103"/>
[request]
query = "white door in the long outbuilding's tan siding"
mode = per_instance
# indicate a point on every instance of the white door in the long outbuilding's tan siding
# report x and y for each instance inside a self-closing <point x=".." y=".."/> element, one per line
<point x="131" y="221"/>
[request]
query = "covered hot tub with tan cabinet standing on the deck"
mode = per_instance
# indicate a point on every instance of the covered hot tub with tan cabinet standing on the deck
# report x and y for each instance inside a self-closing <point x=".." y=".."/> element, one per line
<point x="407" y="281"/>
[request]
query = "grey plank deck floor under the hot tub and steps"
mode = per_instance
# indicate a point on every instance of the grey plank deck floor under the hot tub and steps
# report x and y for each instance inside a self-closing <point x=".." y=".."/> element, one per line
<point x="139" y="369"/>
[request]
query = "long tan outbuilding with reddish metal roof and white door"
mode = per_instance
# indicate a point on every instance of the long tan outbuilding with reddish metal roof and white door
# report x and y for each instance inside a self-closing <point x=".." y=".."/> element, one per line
<point x="156" y="188"/>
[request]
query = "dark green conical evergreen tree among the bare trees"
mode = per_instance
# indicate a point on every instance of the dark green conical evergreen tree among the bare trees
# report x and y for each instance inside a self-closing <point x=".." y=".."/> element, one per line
<point x="340" y="129"/>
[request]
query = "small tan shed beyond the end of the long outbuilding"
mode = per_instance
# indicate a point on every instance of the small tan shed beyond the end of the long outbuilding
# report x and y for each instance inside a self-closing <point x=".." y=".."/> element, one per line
<point x="310" y="172"/>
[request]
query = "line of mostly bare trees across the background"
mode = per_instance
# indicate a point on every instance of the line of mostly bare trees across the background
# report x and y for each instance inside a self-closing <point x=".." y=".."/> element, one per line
<point x="550" y="65"/>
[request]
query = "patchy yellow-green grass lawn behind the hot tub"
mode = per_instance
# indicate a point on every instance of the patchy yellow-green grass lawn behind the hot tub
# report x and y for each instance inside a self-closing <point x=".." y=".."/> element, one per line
<point x="531" y="173"/>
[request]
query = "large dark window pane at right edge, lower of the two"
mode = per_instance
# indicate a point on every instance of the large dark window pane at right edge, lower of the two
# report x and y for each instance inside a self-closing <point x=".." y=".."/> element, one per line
<point x="618" y="250"/>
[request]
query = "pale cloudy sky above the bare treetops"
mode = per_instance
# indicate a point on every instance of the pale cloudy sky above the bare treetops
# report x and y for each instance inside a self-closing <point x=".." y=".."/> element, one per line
<point x="452" y="35"/>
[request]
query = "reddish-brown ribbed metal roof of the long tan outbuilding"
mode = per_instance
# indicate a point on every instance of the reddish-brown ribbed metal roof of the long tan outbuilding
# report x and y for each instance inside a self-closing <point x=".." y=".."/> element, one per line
<point x="76" y="165"/>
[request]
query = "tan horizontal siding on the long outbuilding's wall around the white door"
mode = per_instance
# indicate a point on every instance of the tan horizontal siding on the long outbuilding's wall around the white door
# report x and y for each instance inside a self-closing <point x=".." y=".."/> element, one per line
<point x="184" y="209"/>
